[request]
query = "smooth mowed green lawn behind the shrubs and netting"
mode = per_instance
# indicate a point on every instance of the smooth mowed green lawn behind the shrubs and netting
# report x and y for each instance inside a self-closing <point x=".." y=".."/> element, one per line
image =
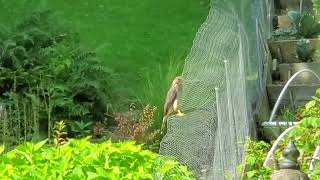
<point x="133" y="37"/>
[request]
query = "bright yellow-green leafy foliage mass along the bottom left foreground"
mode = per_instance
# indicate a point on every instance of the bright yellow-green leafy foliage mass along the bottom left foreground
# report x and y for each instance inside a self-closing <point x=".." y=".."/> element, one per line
<point x="79" y="159"/>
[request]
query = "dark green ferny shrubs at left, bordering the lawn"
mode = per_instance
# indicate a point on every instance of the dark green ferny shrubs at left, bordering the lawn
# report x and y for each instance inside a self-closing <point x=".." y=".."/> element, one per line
<point x="45" y="75"/>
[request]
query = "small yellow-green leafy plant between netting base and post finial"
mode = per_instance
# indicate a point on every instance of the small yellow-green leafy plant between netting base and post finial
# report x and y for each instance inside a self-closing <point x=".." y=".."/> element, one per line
<point x="251" y="167"/>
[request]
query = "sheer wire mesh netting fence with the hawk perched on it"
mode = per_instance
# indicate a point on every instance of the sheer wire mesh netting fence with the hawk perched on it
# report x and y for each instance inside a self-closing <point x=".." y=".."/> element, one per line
<point x="223" y="86"/>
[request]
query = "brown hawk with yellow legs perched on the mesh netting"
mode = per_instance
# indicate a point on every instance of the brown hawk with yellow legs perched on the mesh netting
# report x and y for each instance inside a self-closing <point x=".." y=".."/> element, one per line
<point x="172" y="101"/>
